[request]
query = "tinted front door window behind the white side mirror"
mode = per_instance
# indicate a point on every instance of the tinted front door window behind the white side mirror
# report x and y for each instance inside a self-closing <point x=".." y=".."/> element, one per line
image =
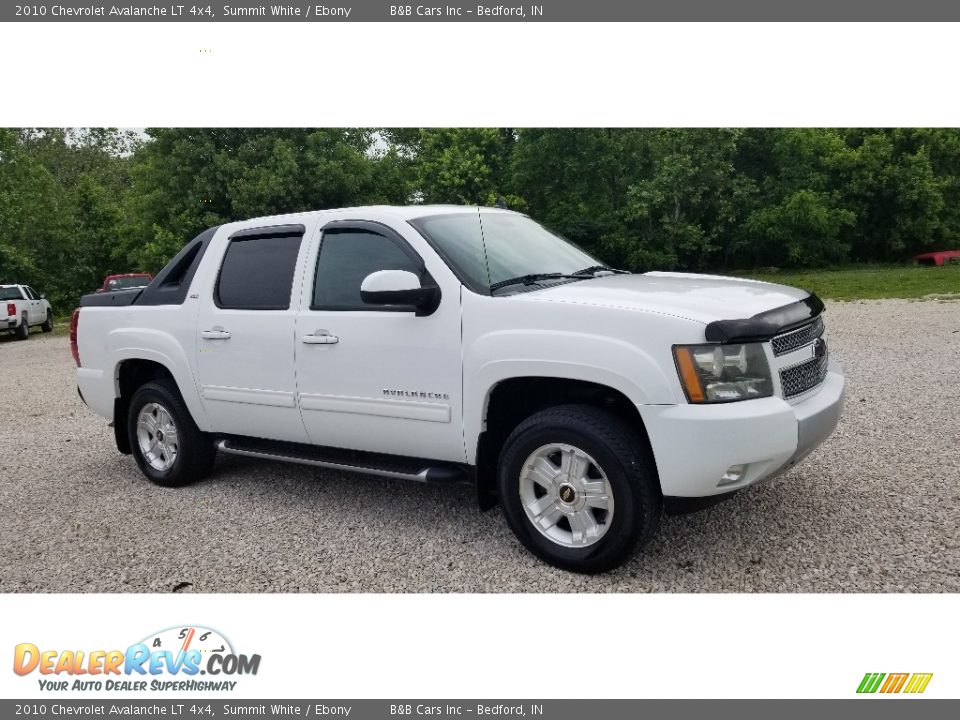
<point x="346" y="258"/>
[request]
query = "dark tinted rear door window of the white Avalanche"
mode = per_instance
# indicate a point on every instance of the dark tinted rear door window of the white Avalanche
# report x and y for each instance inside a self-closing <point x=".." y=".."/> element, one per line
<point x="257" y="273"/>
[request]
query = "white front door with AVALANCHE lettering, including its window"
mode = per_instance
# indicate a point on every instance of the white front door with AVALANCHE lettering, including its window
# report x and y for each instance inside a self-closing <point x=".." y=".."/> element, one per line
<point x="380" y="379"/>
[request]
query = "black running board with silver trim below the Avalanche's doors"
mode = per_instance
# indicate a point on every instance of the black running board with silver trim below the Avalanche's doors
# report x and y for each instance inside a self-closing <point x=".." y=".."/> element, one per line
<point x="347" y="461"/>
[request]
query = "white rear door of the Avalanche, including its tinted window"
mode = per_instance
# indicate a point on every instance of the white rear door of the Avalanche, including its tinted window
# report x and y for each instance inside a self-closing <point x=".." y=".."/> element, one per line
<point x="245" y="342"/>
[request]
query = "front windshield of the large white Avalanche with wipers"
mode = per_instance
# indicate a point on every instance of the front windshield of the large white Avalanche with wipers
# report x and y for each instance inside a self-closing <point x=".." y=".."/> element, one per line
<point x="515" y="246"/>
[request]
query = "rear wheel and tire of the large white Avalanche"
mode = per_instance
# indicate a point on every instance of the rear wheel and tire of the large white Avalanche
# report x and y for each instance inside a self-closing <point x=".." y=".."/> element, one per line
<point x="170" y="463"/>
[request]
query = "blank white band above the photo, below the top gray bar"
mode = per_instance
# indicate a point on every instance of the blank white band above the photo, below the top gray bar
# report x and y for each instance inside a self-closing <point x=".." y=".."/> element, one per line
<point x="474" y="74"/>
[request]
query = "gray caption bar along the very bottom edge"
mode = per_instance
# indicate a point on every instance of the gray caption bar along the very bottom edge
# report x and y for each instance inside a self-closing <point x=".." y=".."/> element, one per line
<point x="217" y="707"/>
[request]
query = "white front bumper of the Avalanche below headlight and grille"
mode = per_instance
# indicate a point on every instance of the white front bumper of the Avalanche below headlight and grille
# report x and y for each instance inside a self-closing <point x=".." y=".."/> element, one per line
<point x="694" y="445"/>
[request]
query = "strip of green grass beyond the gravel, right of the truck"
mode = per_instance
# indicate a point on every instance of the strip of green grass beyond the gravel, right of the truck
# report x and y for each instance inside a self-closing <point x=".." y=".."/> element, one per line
<point x="867" y="282"/>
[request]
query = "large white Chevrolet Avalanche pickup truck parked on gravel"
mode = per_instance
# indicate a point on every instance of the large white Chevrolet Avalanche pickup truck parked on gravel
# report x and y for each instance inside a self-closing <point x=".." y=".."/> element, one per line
<point x="445" y="344"/>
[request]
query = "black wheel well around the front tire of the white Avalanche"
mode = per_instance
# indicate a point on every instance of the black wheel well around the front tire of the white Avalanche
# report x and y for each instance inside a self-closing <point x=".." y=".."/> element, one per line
<point x="512" y="401"/>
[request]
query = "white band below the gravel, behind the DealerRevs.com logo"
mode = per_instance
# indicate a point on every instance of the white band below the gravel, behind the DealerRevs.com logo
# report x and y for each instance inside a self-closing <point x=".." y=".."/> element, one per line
<point x="515" y="646"/>
